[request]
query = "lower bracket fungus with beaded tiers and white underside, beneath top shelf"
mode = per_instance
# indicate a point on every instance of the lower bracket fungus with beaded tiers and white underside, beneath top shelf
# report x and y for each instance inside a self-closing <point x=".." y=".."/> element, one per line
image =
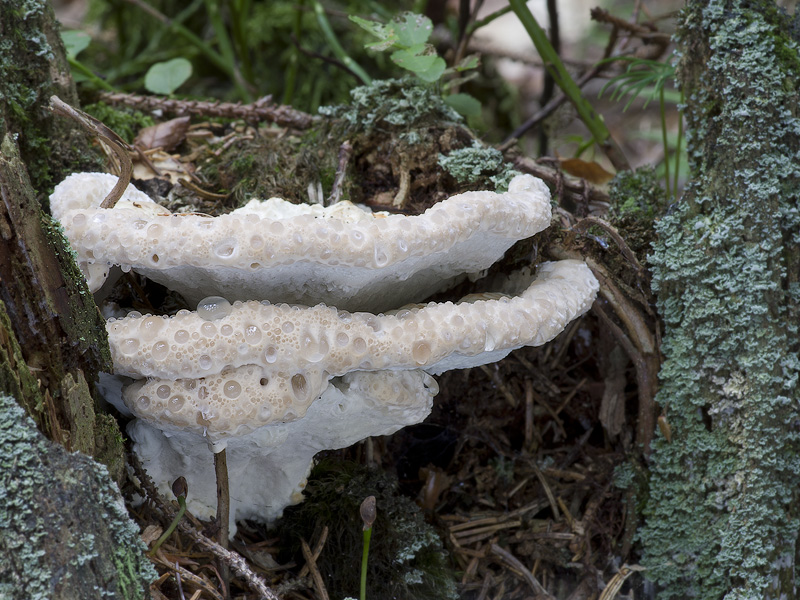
<point x="244" y="376"/>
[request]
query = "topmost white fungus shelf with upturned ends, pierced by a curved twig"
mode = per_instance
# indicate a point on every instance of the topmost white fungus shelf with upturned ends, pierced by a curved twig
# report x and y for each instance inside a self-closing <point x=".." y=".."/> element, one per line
<point x="297" y="253"/>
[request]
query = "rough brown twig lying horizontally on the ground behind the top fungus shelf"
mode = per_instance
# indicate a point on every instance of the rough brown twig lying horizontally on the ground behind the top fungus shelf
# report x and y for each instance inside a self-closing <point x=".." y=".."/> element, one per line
<point x="262" y="109"/>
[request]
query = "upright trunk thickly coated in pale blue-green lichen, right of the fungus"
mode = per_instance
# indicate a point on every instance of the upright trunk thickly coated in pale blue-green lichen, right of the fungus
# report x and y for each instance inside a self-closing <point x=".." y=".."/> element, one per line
<point x="722" y="518"/>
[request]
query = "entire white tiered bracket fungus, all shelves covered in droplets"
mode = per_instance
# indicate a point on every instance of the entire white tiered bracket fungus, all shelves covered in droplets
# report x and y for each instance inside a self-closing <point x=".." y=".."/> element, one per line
<point x="275" y="383"/>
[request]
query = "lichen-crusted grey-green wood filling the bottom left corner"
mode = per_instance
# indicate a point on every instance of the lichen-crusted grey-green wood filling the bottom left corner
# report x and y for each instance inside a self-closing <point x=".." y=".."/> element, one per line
<point x="47" y="551"/>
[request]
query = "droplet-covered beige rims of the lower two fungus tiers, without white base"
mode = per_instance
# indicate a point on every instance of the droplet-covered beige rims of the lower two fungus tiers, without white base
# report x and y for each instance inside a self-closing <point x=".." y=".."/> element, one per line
<point x="252" y="364"/>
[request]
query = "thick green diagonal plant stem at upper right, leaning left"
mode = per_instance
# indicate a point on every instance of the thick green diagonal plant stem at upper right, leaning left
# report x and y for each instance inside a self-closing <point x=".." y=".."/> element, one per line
<point x="592" y="120"/>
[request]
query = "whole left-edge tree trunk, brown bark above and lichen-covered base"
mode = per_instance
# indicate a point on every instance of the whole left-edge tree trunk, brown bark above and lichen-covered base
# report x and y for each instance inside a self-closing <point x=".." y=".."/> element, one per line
<point x="64" y="531"/>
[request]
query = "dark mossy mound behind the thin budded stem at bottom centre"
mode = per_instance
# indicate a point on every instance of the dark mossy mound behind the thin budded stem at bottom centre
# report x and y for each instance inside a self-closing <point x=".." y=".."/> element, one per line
<point x="406" y="560"/>
